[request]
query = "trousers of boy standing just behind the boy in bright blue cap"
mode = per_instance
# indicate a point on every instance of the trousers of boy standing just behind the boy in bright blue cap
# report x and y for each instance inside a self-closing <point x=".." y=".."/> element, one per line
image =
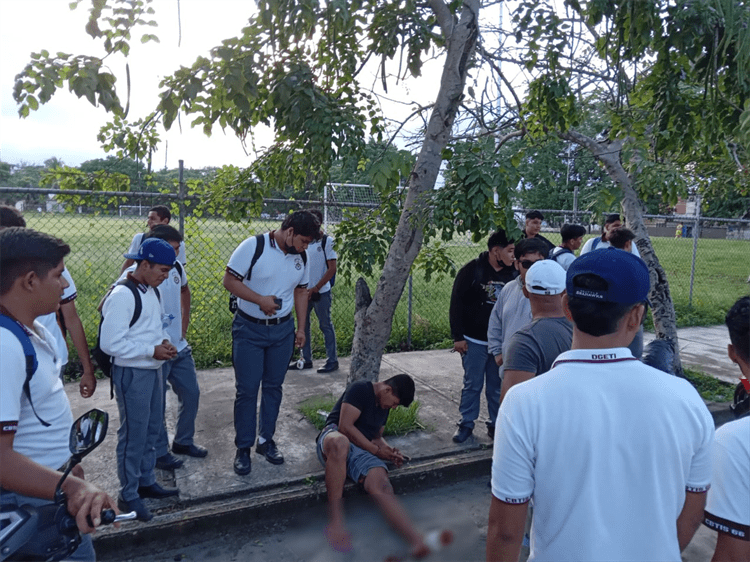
<point x="180" y="373"/>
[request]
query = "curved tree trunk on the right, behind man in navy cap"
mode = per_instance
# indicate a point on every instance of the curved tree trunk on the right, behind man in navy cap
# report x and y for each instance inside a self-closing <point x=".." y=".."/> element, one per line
<point x="665" y="321"/>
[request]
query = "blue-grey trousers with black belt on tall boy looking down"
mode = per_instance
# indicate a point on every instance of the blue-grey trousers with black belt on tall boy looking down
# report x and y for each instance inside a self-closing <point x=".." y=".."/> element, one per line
<point x="260" y="354"/>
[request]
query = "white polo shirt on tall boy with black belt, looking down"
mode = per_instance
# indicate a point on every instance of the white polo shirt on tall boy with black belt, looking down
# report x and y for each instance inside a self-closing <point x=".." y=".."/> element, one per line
<point x="275" y="273"/>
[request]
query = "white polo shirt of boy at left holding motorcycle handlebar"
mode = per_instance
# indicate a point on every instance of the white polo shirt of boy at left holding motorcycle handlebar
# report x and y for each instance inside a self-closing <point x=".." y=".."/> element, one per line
<point x="47" y="446"/>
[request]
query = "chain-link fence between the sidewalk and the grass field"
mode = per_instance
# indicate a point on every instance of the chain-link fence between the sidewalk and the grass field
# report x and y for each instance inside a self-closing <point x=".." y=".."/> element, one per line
<point x="707" y="265"/>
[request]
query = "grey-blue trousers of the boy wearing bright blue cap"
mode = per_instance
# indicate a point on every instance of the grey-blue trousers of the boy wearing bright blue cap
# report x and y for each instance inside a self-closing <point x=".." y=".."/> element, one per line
<point x="140" y="401"/>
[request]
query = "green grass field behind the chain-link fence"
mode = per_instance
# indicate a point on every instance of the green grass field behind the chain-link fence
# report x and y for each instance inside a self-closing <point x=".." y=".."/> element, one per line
<point x="98" y="243"/>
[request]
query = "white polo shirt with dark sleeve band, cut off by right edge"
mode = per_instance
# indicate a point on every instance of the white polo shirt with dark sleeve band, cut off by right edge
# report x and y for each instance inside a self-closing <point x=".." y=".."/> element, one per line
<point x="728" y="503"/>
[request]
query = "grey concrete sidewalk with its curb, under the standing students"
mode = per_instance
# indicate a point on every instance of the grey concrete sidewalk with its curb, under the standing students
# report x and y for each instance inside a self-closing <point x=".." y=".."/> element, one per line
<point x="210" y="490"/>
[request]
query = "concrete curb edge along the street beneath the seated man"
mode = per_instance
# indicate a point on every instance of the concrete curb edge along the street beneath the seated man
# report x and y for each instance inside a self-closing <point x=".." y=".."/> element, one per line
<point x="259" y="509"/>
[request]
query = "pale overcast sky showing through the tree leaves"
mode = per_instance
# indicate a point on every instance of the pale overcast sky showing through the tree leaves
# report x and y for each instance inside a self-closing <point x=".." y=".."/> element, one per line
<point x="67" y="126"/>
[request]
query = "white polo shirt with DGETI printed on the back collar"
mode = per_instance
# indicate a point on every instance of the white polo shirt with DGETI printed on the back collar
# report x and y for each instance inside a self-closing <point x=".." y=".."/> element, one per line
<point x="607" y="448"/>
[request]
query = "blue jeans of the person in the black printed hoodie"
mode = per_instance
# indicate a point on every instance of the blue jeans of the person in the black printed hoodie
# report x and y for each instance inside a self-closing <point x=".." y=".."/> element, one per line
<point x="479" y="365"/>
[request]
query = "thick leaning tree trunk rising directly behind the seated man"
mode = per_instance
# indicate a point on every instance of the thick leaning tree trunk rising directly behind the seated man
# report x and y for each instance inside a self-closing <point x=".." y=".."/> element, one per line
<point x="372" y="326"/>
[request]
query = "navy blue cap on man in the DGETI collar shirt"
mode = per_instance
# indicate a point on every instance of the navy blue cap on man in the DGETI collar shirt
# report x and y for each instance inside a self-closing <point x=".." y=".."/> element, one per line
<point x="626" y="276"/>
